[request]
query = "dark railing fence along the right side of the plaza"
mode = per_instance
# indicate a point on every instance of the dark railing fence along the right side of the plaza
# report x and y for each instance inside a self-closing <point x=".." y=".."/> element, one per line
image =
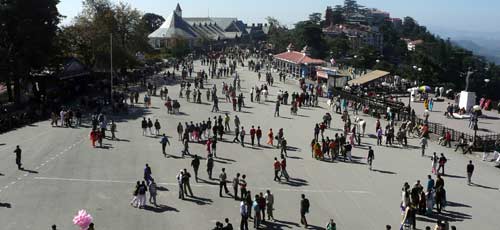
<point x="483" y="142"/>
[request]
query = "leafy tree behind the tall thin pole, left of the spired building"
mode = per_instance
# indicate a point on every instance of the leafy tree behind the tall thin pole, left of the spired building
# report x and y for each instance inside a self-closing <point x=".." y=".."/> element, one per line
<point x="90" y="35"/>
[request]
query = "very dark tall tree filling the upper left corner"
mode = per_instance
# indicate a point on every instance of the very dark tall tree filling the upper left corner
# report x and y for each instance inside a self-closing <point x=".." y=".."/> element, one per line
<point x="28" y="29"/>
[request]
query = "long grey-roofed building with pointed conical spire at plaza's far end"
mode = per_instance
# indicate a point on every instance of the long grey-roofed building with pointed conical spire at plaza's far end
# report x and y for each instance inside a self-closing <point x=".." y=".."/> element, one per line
<point x="198" y="30"/>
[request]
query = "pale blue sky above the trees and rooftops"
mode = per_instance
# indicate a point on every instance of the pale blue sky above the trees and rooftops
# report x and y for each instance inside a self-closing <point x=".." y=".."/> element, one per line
<point x="459" y="16"/>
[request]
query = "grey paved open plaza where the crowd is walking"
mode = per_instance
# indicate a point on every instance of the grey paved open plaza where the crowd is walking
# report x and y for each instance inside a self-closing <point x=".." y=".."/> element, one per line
<point x="64" y="173"/>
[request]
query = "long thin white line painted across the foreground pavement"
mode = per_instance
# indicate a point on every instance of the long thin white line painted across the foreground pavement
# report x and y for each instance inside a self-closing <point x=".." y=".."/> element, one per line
<point x="205" y="185"/>
